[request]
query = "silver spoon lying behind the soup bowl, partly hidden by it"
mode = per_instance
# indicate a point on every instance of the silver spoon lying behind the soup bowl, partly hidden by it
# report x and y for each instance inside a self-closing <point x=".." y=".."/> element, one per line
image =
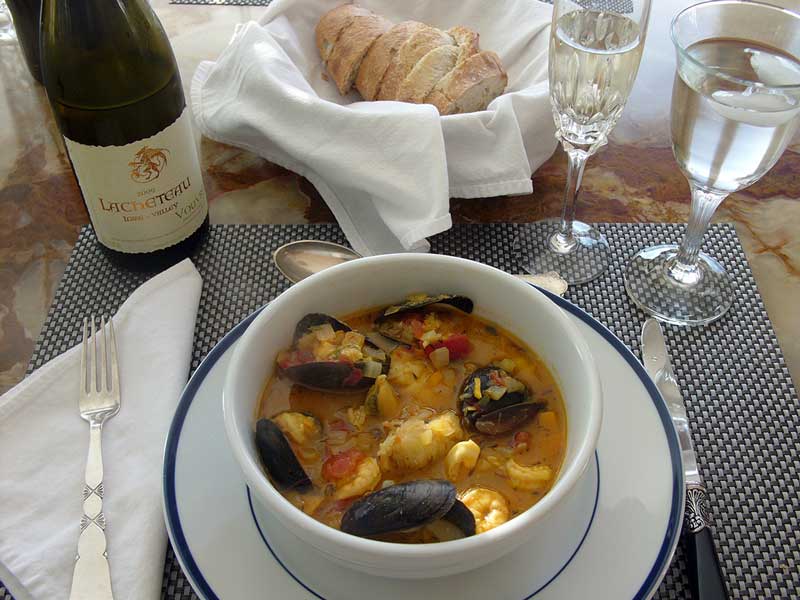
<point x="297" y="260"/>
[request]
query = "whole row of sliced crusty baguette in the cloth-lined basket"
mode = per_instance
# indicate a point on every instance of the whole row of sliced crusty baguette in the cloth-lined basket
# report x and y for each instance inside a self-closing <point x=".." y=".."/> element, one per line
<point x="409" y="62"/>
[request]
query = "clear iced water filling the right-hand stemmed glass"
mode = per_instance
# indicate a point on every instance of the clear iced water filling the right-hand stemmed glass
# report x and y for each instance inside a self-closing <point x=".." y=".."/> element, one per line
<point x="726" y="136"/>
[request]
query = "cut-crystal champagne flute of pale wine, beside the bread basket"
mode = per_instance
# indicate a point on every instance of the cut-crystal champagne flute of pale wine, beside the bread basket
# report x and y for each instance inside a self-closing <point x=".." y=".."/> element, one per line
<point x="595" y="49"/>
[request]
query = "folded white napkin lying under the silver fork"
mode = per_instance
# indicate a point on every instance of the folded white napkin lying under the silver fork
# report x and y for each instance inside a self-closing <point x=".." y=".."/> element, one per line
<point x="44" y="444"/>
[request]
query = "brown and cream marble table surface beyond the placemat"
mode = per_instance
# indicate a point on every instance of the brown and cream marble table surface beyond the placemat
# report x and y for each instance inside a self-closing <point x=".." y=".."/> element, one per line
<point x="634" y="179"/>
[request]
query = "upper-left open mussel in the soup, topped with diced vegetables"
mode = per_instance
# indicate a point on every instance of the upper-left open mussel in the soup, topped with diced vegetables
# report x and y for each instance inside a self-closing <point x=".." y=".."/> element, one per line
<point x="352" y="365"/>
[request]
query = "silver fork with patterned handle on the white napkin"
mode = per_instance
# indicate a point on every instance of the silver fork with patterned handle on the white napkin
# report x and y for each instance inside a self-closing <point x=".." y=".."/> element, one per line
<point x="98" y="402"/>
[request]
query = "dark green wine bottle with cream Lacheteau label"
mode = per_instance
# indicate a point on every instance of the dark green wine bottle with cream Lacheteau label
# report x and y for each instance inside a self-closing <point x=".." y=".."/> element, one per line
<point x="115" y="90"/>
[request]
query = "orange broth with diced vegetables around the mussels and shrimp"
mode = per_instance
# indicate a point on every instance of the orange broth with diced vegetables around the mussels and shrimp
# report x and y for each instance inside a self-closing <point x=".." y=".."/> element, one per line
<point x="425" y="392"/>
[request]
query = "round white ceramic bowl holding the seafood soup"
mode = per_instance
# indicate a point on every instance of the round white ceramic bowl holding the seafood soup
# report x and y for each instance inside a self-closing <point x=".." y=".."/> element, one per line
<point x="382" y="280"/>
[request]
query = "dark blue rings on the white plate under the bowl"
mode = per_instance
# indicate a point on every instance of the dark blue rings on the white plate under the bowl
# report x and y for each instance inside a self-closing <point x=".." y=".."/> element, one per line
<point x="181" y="547"/>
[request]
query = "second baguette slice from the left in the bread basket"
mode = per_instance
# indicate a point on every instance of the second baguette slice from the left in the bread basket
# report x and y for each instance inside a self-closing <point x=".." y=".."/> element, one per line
<point x="351" y="47"/>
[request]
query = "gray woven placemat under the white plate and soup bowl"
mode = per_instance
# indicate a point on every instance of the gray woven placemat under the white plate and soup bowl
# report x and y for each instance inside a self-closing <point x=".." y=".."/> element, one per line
<point x="743" y="407"/>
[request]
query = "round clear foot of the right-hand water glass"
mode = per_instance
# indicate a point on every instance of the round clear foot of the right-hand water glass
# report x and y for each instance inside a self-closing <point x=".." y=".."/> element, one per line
<point x="704" y="297"/>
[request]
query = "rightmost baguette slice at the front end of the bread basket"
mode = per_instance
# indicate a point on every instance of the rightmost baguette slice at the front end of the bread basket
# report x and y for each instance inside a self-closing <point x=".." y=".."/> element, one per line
<point x="471" y="86"/>
